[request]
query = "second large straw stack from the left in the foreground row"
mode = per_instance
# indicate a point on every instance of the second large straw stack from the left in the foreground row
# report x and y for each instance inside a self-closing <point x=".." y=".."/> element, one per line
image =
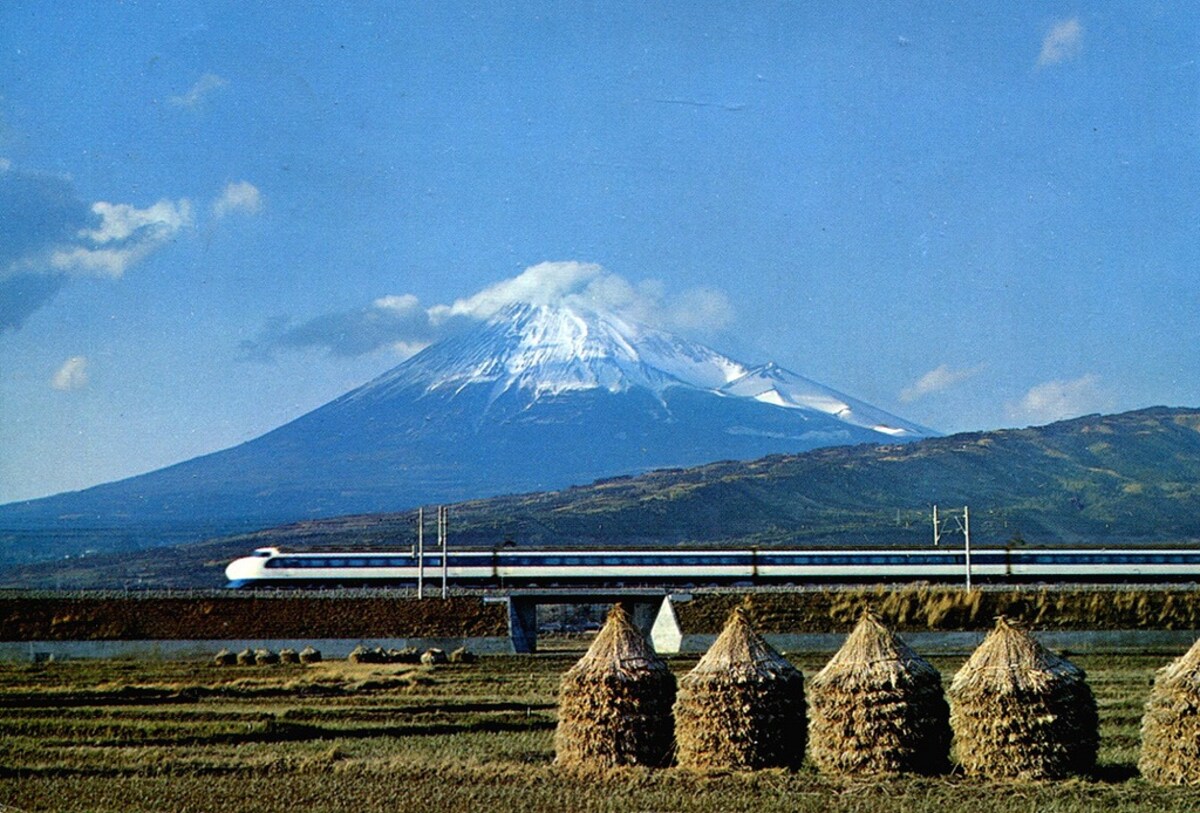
<point x="742" y="708"/>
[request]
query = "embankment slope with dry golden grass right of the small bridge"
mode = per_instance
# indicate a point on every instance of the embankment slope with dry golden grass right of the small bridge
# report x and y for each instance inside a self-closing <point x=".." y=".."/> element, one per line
<point x="927" y="609"/>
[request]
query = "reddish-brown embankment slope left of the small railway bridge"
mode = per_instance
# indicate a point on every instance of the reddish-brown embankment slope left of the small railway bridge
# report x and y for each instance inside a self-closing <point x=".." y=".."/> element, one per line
<point x="181" y="618"/>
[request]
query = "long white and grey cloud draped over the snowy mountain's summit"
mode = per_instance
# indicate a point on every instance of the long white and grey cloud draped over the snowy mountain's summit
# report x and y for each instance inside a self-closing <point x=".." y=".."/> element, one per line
<point x="406" y="327"/>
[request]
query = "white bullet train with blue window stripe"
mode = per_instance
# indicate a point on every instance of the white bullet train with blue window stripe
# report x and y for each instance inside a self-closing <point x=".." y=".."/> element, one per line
<point x="272" y="568"/>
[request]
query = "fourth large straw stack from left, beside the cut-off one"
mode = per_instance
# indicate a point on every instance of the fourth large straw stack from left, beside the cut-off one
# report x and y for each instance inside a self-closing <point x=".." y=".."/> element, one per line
<point x="1019" y="712"/>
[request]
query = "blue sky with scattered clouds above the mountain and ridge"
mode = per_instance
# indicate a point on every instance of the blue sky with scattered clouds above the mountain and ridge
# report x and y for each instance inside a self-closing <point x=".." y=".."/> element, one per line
<point x="217" y="216"/>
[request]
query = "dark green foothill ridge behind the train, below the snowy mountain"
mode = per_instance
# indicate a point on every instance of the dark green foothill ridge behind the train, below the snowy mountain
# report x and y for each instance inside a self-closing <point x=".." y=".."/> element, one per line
<point x="1114" y="480"/>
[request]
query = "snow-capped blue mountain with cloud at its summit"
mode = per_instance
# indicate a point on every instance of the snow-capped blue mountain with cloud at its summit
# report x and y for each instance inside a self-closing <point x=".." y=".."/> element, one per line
<point x="536" y="399"/>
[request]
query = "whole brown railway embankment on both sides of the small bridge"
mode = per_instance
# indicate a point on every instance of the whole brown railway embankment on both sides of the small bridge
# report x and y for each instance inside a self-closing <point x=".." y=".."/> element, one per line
<point x="213" y="616"/>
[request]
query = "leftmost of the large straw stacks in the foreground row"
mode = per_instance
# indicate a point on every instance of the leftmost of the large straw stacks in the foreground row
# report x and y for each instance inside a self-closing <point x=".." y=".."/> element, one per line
<point x="615" y="704"/>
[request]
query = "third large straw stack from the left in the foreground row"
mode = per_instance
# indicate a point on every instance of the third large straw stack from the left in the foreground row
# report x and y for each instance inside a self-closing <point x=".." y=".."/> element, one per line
<point x="878" y="708"/>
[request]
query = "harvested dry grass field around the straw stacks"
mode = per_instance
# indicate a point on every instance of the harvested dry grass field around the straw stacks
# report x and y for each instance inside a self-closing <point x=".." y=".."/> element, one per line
<point x="127" y="737"/>
